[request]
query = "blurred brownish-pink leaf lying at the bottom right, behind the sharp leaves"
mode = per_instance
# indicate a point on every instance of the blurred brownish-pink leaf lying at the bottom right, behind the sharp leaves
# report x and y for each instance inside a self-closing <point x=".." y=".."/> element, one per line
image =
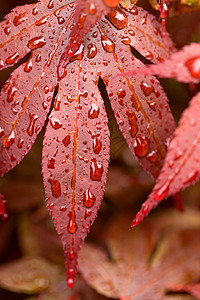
<point x="138" y="265"/>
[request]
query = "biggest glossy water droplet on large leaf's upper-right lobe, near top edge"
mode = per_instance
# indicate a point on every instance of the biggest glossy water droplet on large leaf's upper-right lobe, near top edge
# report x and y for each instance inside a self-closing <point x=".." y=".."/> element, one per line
<point x="118" y="18"/>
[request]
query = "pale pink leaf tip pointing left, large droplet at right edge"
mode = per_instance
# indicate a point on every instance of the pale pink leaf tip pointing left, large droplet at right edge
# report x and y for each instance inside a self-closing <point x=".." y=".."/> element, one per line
<point x="183" y="65"/>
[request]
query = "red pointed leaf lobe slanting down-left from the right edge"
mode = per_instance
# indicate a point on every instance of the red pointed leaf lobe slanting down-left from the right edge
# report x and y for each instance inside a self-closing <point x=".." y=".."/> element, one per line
<point x="182" y="164"/>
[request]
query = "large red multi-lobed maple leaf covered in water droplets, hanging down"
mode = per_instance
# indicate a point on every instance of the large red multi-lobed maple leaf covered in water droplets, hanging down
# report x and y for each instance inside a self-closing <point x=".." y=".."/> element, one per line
<point x="76" y="143"/>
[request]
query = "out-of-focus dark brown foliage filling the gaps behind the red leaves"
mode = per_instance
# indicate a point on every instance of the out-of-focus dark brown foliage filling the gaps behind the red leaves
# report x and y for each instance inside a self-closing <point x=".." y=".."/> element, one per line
<point x="29" y="245"/>
